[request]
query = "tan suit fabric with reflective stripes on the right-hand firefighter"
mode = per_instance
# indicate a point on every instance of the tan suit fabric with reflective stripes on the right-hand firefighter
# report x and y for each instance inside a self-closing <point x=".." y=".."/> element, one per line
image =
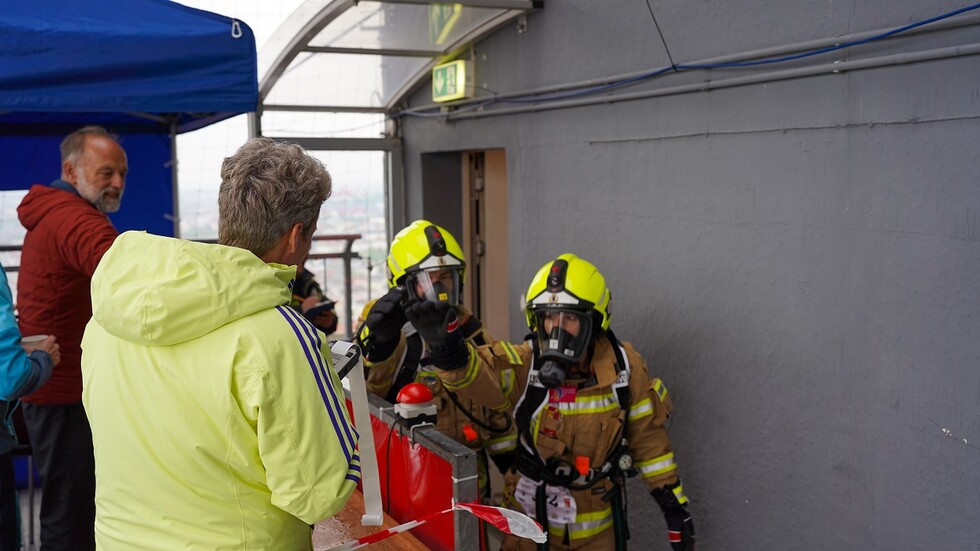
<point x="587" y="426"/>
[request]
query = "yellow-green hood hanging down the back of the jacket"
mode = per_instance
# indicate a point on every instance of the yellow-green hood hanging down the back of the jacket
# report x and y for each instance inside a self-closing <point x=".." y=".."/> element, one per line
<point x="160" y="291"/>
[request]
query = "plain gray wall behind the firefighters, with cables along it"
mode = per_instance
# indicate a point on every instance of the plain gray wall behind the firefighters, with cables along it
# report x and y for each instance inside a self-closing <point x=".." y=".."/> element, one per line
<point x="798" y="260"/>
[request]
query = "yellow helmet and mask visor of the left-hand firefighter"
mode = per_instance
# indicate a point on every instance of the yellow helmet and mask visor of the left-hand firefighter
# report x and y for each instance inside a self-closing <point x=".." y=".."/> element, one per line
<point x="426" y="259"/>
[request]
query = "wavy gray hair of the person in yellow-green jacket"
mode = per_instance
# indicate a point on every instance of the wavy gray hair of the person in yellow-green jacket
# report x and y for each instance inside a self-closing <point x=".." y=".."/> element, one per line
<point x="266" y="188"/>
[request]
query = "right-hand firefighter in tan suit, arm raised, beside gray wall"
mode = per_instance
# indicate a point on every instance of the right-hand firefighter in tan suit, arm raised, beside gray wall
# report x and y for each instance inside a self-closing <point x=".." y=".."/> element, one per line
<point x="587" y="412"/>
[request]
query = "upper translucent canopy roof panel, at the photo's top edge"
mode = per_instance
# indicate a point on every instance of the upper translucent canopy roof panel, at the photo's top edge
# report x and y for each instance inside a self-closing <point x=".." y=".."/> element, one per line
<point x="374" y="25"/>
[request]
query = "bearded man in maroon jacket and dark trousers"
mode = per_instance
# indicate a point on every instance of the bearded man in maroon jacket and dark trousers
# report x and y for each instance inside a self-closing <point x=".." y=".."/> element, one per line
<point x="67" y="234"/>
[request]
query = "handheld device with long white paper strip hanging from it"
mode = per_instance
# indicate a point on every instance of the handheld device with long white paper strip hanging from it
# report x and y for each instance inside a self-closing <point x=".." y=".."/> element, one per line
<point x="343" y="354"/>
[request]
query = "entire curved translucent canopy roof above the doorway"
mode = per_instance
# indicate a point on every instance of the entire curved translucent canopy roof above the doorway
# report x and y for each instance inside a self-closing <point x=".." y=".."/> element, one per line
<point x="367" y="54"/>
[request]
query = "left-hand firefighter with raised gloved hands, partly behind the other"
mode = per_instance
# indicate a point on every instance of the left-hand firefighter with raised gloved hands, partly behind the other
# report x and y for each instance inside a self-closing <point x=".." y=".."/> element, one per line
<point x="425" y="265"/>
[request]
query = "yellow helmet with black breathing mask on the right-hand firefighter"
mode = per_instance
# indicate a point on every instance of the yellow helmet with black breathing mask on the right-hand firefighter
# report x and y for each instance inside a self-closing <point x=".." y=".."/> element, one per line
<point x="567" y="300"/>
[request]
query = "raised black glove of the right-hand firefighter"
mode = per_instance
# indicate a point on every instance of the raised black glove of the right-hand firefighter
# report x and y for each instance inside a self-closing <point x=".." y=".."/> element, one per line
<point x="438" y="325"/>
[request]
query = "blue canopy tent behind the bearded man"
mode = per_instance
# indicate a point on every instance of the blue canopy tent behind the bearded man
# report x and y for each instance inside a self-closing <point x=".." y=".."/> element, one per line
<point x="144" y="69"/>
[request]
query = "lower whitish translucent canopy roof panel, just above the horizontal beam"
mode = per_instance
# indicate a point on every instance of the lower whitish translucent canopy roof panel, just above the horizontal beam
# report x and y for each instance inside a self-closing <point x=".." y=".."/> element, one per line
<point x="352" y="80"/>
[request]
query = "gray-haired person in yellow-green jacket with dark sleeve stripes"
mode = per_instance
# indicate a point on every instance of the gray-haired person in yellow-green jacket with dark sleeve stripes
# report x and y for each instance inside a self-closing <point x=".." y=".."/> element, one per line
<point x="217" y="418"/>
